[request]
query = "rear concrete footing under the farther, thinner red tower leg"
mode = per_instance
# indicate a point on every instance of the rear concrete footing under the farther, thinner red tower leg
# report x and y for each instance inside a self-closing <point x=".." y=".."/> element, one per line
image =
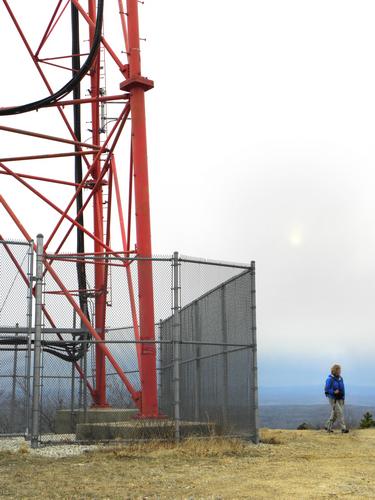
<point x="66" y="421"/>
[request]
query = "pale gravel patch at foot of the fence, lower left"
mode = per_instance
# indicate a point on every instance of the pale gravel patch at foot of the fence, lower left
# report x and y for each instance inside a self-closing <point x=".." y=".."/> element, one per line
<point x="20" y="445"/>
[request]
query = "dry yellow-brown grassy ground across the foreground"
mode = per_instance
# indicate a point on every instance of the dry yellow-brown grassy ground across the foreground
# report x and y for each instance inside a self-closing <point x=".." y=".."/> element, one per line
<point x="288" y="464"/>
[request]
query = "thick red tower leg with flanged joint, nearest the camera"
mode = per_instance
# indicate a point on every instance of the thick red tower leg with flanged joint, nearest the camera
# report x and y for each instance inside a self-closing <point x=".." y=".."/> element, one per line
<point x="137" y="86"/>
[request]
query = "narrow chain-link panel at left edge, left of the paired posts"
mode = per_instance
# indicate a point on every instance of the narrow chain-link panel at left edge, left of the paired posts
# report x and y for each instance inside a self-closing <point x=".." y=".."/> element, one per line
<point x="16" y="269"/>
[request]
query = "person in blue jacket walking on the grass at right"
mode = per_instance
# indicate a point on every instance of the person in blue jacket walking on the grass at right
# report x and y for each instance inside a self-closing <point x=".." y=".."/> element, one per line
<point x="335" y="392"/>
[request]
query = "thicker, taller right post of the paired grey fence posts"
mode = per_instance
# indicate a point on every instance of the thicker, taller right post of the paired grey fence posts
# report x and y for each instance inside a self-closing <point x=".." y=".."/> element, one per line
<point x="35" y="430"/>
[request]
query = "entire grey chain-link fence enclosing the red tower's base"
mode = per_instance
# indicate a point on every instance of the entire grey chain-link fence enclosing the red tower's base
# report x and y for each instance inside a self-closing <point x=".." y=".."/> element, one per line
<point x="205" y="342"/>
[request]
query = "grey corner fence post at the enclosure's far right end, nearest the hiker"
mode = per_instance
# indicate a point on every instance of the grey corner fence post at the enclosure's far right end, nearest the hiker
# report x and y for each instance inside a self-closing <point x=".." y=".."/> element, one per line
<point x="254" y="364"/>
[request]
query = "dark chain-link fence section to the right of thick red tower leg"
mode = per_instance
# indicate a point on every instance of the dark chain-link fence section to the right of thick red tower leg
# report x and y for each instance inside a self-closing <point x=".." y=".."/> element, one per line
<point x="213" y="342"/>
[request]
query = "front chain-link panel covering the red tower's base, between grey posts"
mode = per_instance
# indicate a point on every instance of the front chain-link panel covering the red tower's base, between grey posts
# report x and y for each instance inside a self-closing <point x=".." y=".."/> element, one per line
<point x="68" y="409"/>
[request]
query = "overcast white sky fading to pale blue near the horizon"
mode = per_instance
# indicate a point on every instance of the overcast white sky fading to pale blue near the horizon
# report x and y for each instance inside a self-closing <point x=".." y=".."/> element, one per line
<point x="261" y="134"/>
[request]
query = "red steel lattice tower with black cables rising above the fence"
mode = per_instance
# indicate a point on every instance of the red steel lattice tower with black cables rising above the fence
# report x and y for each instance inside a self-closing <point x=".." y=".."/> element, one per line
<point x="95" y="190"/>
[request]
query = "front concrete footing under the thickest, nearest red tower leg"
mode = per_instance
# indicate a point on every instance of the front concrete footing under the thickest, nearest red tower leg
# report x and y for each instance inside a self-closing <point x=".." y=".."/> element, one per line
<point x="142" y="429"/>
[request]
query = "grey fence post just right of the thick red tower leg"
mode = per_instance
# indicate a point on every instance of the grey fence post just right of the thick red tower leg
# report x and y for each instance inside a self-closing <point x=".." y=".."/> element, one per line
<point x="176" y="344"/>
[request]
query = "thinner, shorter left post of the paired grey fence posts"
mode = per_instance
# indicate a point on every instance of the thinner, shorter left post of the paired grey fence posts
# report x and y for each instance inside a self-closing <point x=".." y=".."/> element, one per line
<point x="30" y="276"/>
